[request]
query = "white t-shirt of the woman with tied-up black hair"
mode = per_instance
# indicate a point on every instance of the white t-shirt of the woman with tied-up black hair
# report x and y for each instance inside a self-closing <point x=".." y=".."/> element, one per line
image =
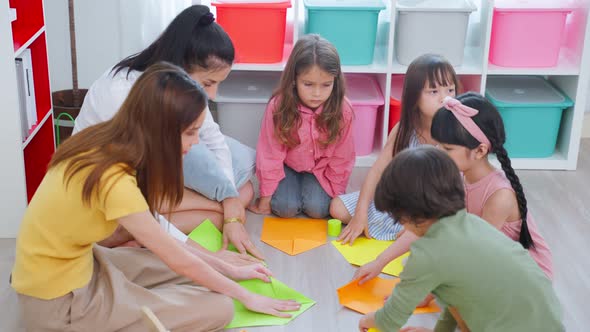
<point x="107" y="94"/>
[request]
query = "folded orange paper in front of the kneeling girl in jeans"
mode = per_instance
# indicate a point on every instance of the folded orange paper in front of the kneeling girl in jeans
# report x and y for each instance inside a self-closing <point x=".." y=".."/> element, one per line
<point x="294" y="236"/>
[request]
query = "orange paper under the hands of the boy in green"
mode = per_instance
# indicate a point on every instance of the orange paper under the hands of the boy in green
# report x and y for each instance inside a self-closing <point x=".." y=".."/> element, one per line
<point x="371" y="295"/>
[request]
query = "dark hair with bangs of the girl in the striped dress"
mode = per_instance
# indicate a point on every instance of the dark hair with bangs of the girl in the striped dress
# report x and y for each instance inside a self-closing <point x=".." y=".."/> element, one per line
<point x="428" y="68"/>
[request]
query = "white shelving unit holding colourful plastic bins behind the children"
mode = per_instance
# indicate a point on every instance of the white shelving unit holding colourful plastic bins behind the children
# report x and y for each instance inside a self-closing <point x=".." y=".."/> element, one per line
<point x="571" y="75"/>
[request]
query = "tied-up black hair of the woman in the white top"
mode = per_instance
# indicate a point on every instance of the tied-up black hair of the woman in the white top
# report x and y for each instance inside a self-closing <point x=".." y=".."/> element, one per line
<point x="191" y="40"/>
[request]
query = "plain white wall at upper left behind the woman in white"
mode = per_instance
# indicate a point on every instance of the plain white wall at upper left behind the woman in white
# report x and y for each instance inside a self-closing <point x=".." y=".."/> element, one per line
<point x="106" y="32"/>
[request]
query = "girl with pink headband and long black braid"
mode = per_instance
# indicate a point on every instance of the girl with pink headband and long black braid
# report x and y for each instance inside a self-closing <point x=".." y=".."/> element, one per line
<point x="469" y="128"/>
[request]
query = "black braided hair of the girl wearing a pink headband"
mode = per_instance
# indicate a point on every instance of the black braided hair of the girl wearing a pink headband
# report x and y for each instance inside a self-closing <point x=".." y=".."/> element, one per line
<point x="446" y="129"/>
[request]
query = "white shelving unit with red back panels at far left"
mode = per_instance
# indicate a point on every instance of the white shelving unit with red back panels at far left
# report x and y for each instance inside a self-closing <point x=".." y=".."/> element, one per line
<point x="24" y="159"/>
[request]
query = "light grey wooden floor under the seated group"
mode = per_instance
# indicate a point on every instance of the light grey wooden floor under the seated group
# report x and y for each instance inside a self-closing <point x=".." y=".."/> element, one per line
<point x="559" y="200"/>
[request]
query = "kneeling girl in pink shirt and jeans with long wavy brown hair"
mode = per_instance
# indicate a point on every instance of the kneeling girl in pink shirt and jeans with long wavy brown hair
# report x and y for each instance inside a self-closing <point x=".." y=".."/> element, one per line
<point x="305" y="151"/>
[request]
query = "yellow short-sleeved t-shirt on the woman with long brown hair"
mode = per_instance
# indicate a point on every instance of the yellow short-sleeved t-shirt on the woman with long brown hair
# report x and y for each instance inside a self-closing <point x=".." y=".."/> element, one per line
<point x="54" y="245"/>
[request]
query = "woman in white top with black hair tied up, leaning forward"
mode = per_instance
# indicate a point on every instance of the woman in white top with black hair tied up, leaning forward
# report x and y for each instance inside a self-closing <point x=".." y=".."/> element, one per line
<point x="216" y="171"/>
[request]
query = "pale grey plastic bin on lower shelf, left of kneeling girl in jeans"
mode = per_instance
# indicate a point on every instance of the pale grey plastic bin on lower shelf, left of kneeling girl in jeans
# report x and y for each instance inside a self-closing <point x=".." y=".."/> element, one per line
<point x="241" y="101"/>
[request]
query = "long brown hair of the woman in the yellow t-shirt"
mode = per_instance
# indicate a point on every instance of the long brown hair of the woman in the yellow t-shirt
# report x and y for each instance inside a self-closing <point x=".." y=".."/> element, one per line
<point x="144" y="137"/>
